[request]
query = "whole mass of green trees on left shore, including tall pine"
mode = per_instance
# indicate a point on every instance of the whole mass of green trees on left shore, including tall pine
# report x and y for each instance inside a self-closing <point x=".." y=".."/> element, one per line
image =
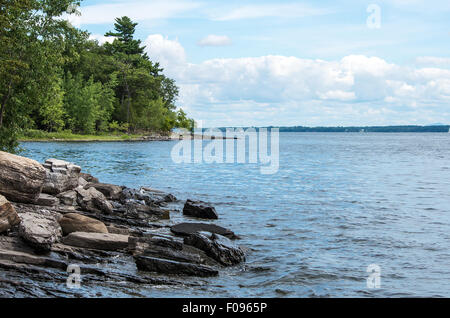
<point x="53" y="78"/>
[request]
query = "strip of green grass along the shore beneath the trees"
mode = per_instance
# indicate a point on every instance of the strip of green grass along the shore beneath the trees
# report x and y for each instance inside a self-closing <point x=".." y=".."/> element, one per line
<point x="38" y="135"/>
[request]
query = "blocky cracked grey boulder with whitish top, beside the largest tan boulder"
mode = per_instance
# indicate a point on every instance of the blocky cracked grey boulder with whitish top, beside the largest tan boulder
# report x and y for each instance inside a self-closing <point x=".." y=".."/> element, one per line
<point x="61" y="176"/>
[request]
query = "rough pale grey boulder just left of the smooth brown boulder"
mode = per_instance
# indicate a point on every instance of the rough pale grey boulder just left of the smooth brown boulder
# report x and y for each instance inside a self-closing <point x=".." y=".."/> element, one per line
<point x="40" y="230"/>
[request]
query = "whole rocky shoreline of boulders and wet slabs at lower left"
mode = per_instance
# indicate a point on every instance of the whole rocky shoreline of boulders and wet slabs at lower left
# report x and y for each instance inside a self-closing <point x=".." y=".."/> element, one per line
<point x="57" y="222"/>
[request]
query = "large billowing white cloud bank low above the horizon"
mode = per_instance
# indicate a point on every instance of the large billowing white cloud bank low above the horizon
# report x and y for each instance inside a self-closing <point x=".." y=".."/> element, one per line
<point x="291" y="91"/>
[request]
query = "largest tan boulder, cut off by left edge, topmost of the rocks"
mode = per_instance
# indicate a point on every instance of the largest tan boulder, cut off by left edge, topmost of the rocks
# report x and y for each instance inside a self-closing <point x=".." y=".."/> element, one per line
<point x="21" y="179"/>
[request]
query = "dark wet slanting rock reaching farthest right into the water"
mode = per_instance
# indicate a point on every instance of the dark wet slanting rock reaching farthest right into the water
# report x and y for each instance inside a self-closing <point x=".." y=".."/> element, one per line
<point x="217" y="247"/>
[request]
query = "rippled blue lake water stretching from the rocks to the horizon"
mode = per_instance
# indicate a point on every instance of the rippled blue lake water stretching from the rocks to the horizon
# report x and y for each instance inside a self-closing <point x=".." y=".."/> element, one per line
<point x="338" y="203"/>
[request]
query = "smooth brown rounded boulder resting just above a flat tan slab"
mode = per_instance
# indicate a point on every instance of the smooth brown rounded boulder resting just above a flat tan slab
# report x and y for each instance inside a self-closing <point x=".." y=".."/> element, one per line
<point x="73" y="222"/>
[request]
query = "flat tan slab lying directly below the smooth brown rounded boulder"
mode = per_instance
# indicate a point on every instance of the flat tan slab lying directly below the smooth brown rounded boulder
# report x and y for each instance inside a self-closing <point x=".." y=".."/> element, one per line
<point x="98" y="241"/>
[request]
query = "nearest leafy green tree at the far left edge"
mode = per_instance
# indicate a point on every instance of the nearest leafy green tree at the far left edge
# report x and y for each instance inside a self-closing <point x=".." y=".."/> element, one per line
<point x="30" y="34"/>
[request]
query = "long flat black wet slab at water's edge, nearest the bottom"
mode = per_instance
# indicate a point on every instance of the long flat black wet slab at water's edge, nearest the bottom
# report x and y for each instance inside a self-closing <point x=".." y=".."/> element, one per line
<point x="164" y="266"/>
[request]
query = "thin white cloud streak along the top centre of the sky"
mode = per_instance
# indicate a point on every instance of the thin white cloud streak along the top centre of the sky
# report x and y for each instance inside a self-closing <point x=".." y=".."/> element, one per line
<point x="286" y="10"/>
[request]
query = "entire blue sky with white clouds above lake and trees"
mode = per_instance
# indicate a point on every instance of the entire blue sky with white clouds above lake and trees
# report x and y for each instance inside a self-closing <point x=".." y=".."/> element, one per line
<point x="295" y="63"/>
